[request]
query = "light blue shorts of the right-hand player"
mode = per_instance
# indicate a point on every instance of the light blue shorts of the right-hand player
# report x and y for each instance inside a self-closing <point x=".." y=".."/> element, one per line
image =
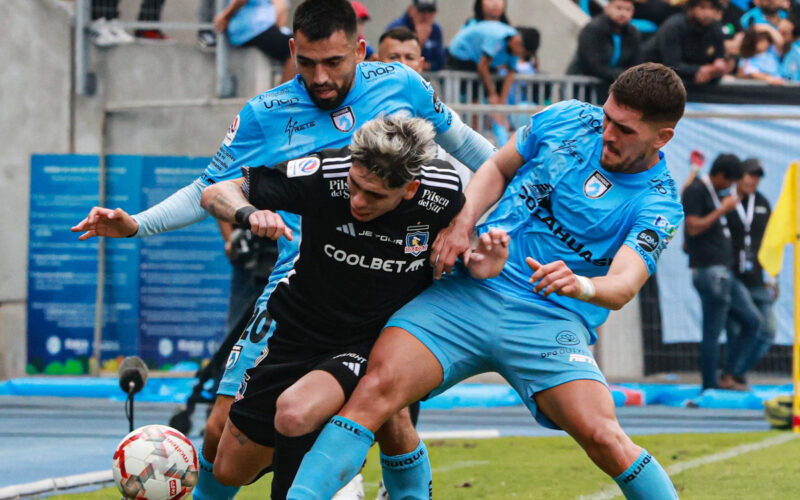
<point x="473" y="329"/>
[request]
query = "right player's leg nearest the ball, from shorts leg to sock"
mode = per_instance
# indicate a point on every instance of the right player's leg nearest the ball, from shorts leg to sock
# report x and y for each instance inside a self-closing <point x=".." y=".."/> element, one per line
<point x="426" y="347"/>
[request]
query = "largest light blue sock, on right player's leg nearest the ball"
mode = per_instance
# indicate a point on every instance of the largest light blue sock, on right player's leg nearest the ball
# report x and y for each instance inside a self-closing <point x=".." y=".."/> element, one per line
<point x="334" y="460"/>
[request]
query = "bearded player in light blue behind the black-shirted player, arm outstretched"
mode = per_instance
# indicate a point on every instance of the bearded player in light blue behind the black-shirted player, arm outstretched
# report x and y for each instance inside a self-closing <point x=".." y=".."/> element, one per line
<point x="321" y="108"/>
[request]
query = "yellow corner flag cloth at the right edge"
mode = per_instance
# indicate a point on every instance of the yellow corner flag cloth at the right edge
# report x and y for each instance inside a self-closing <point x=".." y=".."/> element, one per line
<point x="782" y="226"/>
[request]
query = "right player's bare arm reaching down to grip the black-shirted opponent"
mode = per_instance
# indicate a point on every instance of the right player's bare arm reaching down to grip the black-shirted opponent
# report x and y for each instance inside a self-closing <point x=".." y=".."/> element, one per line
<point x="483" y="190"/>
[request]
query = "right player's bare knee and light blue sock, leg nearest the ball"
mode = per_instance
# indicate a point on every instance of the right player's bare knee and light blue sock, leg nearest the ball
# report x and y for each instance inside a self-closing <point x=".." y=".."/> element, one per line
<point x="401" y="371"/>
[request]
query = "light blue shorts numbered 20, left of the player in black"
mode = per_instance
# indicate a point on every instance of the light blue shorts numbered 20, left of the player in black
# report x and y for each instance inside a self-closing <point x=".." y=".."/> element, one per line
<point x="249" y="346"/>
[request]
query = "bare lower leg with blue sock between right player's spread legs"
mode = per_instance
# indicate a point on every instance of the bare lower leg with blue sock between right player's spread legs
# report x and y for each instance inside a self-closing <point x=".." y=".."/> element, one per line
<point x="405" y="474"/>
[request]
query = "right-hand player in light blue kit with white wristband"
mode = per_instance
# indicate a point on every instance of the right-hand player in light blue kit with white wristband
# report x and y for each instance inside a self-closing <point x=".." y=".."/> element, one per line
<point x="589" y="204"/>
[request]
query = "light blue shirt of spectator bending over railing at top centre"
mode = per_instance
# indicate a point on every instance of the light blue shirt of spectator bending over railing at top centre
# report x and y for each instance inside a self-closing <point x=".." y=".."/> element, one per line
<point x="488" y="38"/>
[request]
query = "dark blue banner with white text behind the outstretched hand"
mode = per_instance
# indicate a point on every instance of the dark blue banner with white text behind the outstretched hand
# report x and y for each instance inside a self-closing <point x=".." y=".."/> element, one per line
<point x="165" y="296"/>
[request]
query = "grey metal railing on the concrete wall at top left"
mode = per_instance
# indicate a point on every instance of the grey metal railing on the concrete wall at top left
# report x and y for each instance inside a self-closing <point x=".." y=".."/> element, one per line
<point x="86" y="81"/>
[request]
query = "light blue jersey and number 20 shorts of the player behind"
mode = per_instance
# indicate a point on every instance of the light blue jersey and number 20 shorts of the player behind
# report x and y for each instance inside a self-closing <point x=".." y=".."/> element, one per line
<point x="284" y="123"/>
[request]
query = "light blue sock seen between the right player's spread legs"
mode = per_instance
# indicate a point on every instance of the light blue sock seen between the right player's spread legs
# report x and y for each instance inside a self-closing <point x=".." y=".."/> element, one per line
<point x="408" y="477"/>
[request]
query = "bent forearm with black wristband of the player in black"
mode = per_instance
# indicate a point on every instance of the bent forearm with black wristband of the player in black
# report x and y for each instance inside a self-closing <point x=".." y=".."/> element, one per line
<point x="227" y="202"/>
